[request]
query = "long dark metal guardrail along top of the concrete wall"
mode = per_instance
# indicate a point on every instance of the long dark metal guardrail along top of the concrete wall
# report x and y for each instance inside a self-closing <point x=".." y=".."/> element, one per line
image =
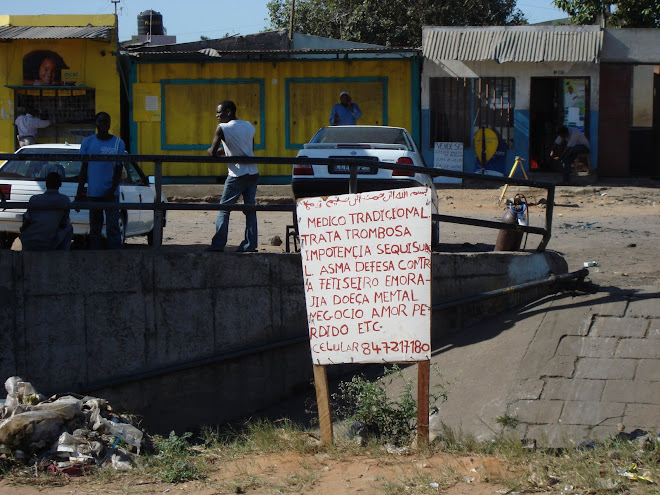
<point x="158" y="206"/>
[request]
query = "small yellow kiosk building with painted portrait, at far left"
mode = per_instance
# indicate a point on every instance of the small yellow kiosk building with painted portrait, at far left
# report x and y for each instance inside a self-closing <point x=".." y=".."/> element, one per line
<point x="62" y="68"/>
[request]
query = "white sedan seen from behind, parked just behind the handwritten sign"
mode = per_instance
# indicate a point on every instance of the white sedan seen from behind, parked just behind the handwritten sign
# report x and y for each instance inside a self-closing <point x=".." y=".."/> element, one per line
<point x="376" y="143"/>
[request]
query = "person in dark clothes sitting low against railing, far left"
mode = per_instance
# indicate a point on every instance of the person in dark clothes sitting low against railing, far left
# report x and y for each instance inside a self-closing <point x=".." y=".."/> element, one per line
<point x="46" y="230"/>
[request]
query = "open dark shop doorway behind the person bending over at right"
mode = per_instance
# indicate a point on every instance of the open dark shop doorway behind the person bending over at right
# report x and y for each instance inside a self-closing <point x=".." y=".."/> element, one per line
<point x="554" y="102"/>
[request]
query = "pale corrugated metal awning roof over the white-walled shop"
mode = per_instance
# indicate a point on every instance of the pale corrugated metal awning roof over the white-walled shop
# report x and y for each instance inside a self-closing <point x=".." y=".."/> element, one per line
<point x="513" y="43"/>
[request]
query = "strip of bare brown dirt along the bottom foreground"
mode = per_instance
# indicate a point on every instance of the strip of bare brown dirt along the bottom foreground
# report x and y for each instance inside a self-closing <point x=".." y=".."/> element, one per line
<point x="293" y="473"/>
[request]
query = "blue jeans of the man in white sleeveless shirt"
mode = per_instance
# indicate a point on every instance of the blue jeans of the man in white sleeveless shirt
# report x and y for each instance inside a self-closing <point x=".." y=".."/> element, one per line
<point x="245" y="185"/>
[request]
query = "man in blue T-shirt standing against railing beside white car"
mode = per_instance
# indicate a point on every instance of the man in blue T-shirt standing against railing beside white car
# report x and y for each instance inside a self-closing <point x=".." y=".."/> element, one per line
<point x="102" y="179"/>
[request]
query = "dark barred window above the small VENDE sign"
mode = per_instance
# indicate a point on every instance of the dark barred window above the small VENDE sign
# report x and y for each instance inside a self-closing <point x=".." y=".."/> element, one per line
<point x="460" y="106"/>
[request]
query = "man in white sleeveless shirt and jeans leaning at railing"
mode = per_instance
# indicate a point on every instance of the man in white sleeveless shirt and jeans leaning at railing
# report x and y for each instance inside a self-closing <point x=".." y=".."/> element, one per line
<point x="237" y="138"/>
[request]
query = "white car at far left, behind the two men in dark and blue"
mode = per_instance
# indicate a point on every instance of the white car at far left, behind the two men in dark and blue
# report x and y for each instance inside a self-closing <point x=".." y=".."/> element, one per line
<point x="21" y="179"/>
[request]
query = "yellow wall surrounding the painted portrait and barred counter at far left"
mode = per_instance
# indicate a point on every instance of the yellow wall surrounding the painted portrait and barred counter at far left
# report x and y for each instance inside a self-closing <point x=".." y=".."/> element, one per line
<point x="90" y="64"/>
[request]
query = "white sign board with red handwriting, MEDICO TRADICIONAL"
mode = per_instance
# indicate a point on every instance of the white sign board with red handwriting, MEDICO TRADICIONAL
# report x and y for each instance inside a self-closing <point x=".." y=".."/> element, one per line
<point x="367" y="271"/>
